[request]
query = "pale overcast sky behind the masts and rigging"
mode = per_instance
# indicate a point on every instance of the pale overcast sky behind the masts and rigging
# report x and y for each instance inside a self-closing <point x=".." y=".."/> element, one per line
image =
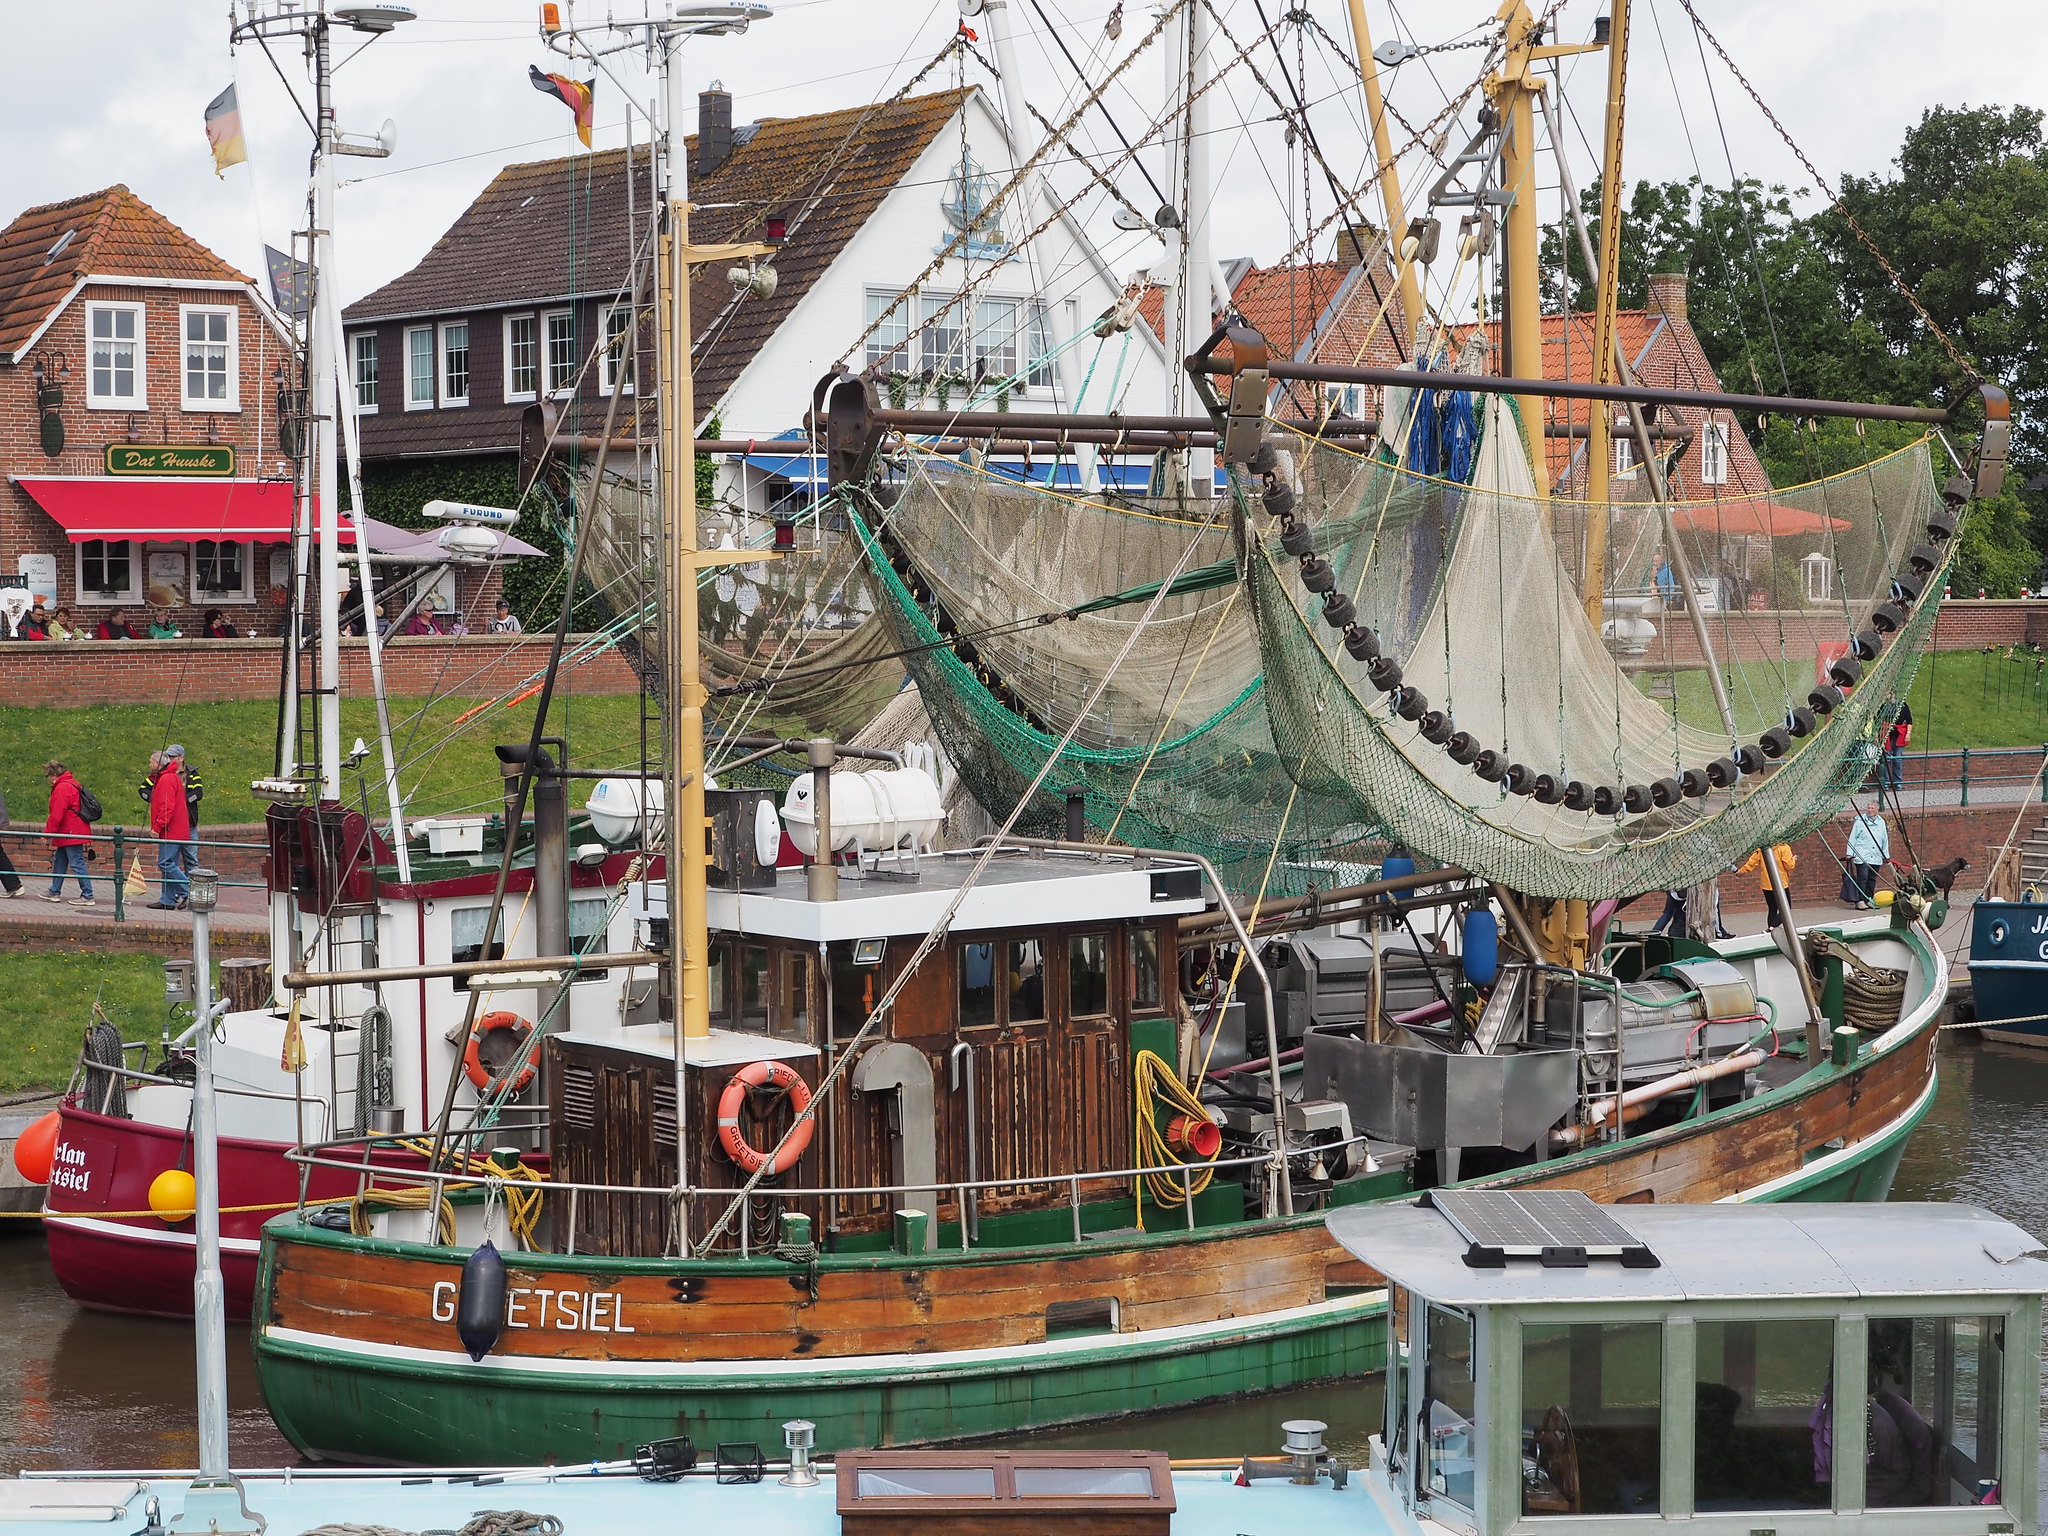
<point x="112" y="91"/>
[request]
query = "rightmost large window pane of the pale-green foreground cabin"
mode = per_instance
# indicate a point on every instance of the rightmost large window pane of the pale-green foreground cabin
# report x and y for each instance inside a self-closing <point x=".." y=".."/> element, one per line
<point x="1934" y="1390"/>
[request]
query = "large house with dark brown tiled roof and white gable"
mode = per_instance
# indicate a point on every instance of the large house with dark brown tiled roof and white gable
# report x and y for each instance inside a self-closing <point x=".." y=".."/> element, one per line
<point x="505" y="308"/>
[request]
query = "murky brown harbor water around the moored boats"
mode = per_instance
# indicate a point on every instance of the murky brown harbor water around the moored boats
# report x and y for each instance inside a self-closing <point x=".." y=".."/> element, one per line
<point x="87" y="1390"/>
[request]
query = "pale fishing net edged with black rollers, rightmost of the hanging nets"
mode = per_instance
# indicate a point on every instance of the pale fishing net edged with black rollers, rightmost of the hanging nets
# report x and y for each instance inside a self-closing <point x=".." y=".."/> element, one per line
<point x="1478" y="593"/>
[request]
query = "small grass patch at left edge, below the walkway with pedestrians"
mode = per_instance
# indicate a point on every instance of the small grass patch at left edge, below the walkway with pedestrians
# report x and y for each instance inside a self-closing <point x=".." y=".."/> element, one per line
<point x="46" y="1005"/>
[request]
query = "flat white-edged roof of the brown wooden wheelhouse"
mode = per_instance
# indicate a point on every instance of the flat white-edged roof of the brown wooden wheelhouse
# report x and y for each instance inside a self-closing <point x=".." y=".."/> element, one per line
<point x="1021" y="890"/>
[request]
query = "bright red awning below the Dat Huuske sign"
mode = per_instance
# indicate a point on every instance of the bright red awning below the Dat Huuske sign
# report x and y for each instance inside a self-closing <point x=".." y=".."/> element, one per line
<point x="177" y="511"/>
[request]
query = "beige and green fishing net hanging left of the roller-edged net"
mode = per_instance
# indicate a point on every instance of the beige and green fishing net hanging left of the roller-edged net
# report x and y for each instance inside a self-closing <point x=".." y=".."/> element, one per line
<point x="1179" y="751"/>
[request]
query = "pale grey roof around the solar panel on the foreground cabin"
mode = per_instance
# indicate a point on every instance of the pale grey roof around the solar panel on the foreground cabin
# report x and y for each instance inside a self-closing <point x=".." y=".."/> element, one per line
<point x="1715" y="1252"/>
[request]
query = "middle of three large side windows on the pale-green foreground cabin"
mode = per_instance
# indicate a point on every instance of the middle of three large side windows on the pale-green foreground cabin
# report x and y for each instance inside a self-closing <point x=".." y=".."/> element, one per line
<point x="1764" y="1414"/>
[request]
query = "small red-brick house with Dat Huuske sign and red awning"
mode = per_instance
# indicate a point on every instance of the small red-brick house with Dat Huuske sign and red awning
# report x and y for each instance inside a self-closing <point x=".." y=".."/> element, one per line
<point x="140" y="450"/>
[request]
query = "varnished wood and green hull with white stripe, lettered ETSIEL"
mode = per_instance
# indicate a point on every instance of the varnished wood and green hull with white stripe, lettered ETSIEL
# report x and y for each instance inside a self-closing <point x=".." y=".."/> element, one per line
<point x="357" y="1351"/>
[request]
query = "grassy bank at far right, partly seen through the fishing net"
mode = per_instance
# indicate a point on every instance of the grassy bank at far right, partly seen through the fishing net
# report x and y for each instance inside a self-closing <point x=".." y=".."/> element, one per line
<point x="1961" y="699"/>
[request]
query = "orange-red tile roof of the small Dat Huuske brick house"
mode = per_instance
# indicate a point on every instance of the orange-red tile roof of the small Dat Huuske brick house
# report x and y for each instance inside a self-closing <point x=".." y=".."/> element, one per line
<point x="112" y="234"/>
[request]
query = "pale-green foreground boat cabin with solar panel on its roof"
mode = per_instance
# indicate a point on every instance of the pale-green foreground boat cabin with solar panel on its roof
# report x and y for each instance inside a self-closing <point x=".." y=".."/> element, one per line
<point x="1558" y="1367"/>
